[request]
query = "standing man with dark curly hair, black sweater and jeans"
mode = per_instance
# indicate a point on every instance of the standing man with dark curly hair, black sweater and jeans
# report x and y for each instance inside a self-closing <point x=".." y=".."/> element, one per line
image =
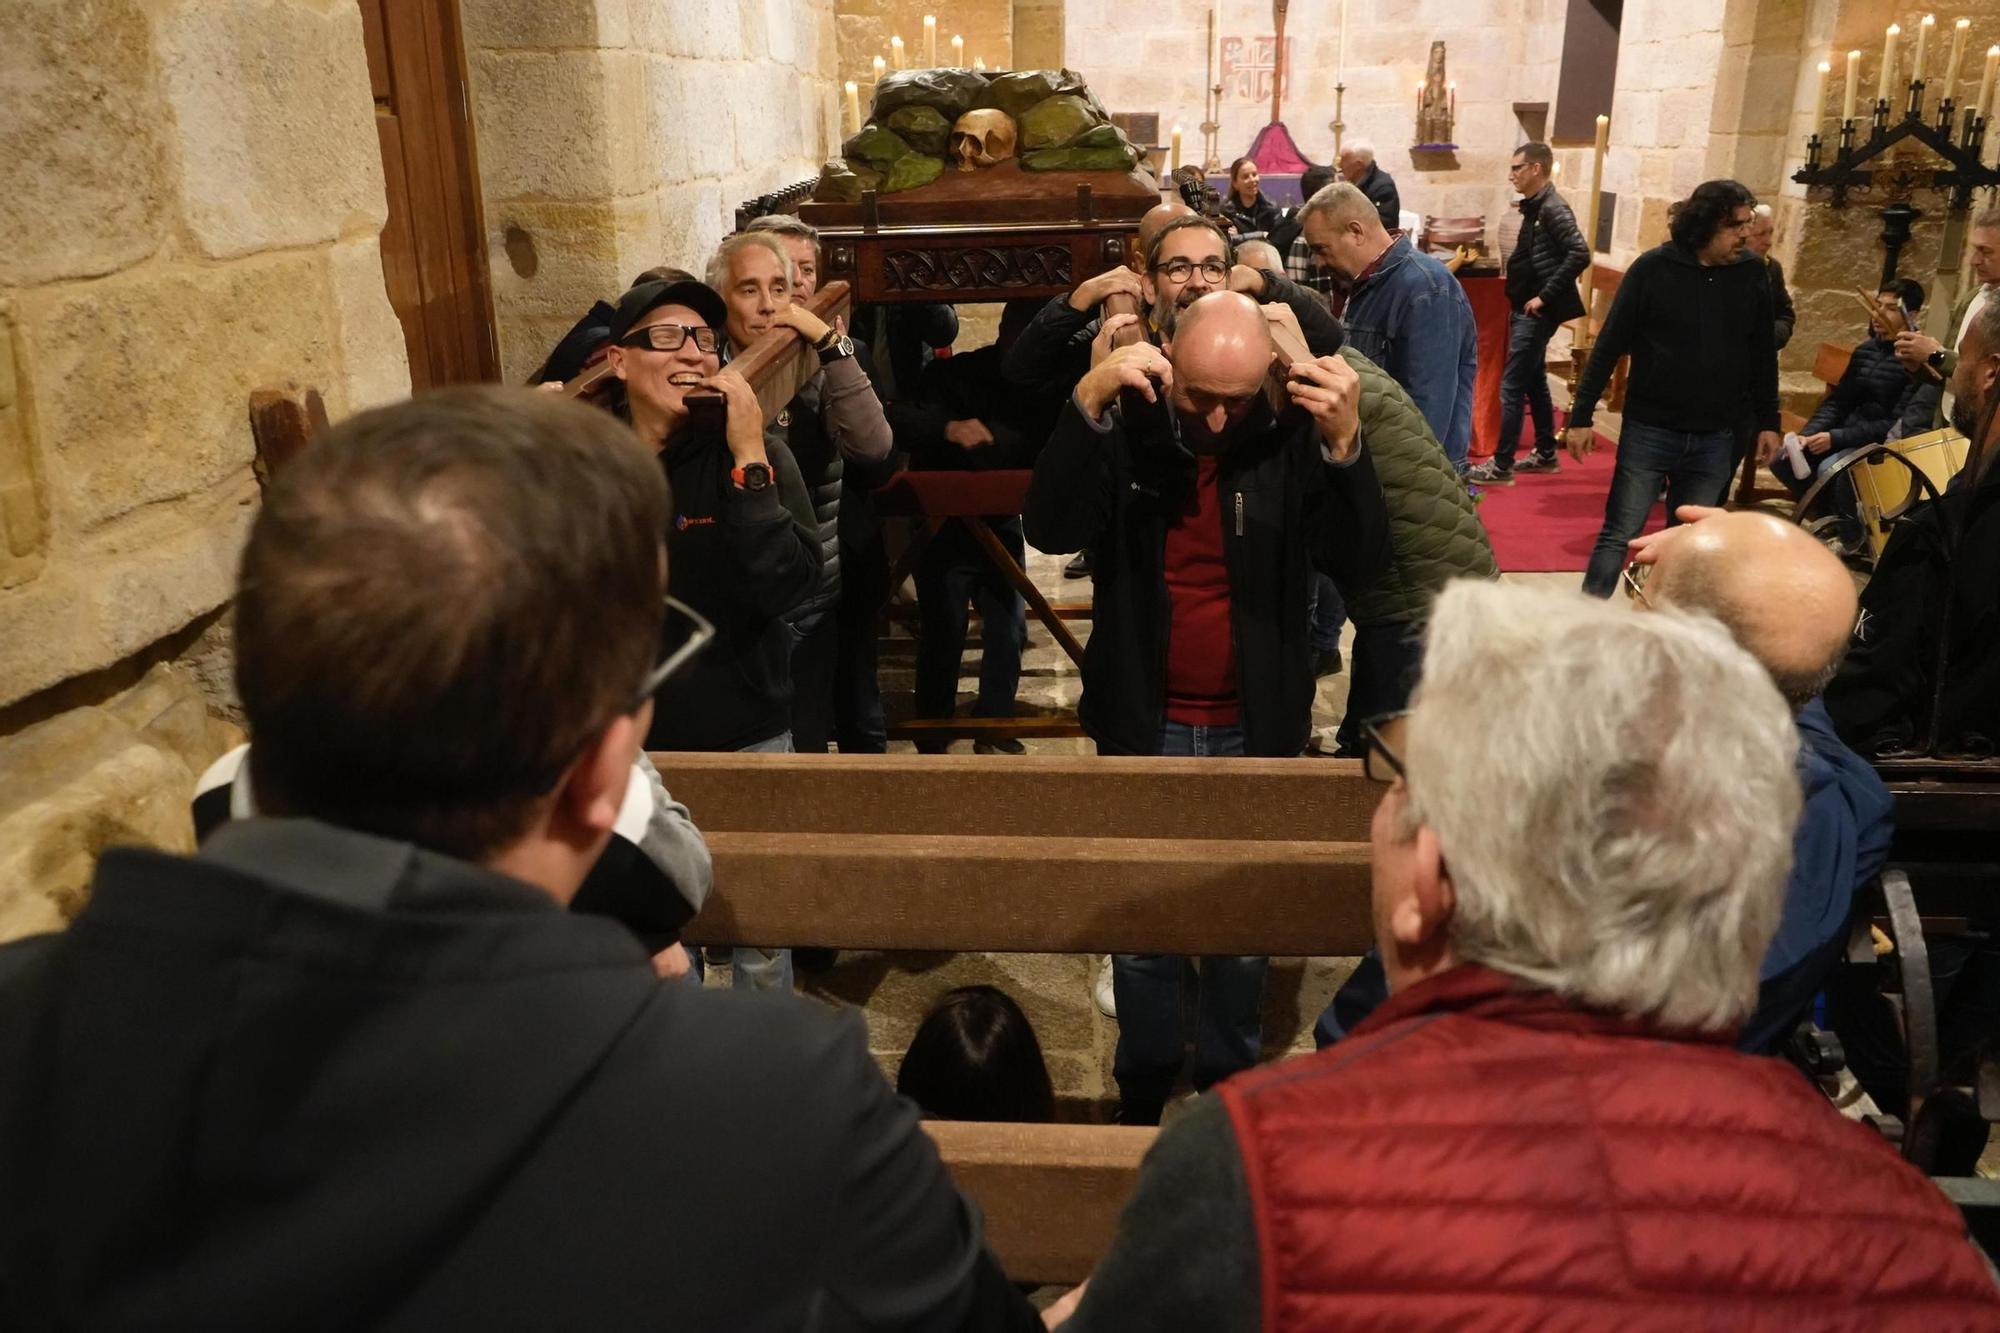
<point x="1697" y="323"/>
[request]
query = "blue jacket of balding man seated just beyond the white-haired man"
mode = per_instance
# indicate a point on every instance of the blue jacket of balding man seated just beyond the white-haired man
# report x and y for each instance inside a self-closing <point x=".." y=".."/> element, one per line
<point x="1841" y="844"/>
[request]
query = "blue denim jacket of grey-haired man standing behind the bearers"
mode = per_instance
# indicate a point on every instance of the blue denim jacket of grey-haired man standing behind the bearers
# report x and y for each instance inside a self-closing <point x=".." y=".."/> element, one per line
<point x="1411" y="317"/>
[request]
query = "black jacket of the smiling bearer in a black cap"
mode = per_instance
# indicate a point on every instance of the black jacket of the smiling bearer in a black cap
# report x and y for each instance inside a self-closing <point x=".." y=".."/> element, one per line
<point x="743" y="561"/>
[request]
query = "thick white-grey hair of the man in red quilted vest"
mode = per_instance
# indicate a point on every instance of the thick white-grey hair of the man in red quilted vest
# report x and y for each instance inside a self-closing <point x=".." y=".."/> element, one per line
<point x="1647" y="768"/>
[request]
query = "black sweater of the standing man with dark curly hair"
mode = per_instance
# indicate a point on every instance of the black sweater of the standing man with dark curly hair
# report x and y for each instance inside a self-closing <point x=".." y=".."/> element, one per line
<point x="1703" y="345"/>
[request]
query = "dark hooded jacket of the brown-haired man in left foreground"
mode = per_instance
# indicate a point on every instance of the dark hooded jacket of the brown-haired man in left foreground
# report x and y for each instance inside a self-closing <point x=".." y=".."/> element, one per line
<point x="313" y="1080"/>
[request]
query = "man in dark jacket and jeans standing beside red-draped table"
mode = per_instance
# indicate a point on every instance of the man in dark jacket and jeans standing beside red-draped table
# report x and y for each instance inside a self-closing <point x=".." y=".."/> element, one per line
<point x="1541" y="289"/>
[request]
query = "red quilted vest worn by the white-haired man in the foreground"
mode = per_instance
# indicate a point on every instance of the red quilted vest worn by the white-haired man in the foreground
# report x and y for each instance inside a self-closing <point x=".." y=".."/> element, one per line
<point x="1481" y="1156"/>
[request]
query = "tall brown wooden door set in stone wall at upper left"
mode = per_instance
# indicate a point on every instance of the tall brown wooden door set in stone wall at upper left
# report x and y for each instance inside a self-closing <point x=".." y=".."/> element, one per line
<point x="435" y="243"/>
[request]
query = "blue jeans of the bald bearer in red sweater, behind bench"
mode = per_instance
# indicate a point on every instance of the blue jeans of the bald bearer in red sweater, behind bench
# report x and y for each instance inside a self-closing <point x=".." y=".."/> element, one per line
<point x="1231" y="1010"/>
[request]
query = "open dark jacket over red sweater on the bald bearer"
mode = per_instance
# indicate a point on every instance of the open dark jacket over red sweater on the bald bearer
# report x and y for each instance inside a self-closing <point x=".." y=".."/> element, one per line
<point x="1287" y="511"/>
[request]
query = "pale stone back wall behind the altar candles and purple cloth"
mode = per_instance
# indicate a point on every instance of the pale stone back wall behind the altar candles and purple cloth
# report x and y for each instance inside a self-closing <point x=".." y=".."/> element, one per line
<point x="1497" y="51"/>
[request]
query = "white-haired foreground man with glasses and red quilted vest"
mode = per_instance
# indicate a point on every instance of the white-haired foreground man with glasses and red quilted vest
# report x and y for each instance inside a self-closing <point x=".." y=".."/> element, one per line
<point x="1545" y="1126"/>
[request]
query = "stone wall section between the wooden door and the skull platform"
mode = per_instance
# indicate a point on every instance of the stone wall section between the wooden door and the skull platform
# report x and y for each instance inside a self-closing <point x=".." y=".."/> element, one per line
<point x="617" y="135"/>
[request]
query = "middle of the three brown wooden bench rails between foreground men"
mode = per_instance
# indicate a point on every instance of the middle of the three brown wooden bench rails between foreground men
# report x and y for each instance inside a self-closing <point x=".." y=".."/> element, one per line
<point x="1037" y="894"/>
